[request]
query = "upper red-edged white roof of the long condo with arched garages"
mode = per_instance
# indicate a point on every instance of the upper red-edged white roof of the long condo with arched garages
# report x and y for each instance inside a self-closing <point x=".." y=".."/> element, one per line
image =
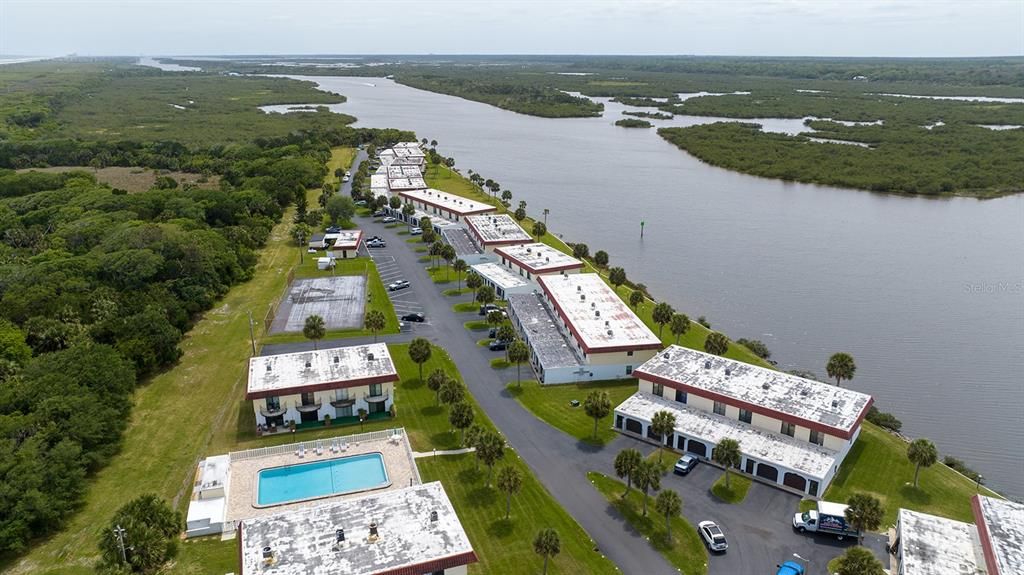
<point x="782" y="393"/>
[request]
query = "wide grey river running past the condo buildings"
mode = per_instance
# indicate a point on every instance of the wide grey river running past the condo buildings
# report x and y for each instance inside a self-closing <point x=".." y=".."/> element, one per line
<point x="928" y="295"/>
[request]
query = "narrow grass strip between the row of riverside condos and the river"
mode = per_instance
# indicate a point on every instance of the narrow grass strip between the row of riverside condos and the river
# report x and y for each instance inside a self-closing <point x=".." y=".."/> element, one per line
<point x="441" y="178"/>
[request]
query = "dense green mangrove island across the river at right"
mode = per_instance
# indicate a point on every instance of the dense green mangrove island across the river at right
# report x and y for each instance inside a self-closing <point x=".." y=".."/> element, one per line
<point x="958" y="159"/>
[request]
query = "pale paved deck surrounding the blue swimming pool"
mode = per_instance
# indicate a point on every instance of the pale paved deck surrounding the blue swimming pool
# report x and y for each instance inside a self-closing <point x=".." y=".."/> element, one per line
<point x="243" y="490"/>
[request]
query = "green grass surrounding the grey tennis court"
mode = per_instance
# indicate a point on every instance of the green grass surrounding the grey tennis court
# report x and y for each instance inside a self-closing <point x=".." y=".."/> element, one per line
<point x="376" y="295"/>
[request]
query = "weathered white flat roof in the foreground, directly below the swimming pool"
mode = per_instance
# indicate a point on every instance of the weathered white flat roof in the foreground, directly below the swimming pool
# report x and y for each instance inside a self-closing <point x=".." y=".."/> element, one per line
<point x="305" y="542"/>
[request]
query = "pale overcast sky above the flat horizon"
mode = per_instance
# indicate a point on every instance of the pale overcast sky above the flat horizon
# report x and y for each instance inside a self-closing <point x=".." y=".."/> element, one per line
<point x="785" y="28"/>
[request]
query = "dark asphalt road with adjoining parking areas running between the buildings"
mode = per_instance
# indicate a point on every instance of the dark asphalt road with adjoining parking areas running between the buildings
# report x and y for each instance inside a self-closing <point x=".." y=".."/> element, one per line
<point x="759" y="530"/>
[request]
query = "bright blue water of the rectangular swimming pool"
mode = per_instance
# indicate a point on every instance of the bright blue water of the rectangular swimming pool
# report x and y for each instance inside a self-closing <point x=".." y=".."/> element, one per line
<point x="318" y="479"/>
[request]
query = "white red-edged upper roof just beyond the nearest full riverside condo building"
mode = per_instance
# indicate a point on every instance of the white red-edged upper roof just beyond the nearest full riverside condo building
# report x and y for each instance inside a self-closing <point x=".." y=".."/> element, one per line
<point x="596" y="317"/>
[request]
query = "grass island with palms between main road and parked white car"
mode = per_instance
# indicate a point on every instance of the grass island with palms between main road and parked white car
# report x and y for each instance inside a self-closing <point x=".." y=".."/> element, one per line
<point x="686" y="551"/>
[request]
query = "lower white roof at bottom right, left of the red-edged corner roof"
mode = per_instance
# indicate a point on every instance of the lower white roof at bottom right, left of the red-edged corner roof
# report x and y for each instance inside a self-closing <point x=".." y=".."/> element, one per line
<point x="936" y="546"/>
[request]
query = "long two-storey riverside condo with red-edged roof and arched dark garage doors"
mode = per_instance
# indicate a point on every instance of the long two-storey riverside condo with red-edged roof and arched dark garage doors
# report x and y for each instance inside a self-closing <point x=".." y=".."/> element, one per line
<point x="792" y="431"/>
